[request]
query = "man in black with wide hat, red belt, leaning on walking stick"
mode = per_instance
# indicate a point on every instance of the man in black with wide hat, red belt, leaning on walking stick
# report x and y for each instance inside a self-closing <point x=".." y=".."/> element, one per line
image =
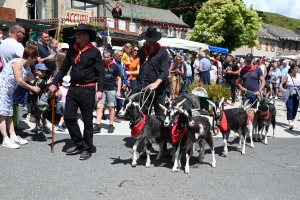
<point x="87" y="70"/>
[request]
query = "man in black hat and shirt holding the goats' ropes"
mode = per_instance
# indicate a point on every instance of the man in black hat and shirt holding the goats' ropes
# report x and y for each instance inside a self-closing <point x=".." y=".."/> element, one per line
<point x="154" y="72"/>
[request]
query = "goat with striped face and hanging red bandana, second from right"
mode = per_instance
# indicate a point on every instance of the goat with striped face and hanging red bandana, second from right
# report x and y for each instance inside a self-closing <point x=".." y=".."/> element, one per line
<point x="234" y="119"/>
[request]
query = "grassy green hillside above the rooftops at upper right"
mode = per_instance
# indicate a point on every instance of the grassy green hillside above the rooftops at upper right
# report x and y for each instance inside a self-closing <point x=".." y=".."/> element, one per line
<point x="281" y="21"/>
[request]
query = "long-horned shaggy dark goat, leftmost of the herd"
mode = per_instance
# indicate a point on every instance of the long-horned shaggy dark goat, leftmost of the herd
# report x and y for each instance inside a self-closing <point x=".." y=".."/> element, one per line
<point x="151" y="129"/>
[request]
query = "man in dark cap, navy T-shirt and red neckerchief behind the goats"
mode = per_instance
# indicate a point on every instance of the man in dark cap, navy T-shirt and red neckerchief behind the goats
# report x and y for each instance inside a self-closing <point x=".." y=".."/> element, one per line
<point x="248" y="80"/>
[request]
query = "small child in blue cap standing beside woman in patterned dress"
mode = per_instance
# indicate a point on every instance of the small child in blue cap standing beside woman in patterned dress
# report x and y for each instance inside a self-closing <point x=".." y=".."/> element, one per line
<point x="41" y="105"/>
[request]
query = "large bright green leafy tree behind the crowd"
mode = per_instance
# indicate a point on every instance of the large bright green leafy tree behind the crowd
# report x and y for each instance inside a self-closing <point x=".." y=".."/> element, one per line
<point x="226" y="23"/>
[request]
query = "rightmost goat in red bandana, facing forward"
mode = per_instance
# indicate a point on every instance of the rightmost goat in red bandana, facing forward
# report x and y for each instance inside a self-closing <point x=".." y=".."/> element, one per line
<point x="264" y="116"/>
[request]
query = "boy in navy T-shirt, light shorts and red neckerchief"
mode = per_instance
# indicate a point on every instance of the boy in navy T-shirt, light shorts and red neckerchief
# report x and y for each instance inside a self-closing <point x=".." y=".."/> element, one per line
<point x="110" y="93"/>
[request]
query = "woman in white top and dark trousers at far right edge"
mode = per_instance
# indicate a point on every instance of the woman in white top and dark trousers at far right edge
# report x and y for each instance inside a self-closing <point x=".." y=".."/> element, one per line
<point x="292" y="84"/>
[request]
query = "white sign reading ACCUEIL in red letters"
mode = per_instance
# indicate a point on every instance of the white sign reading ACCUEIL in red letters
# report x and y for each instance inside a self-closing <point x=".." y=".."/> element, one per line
<point x="75" y="16"/>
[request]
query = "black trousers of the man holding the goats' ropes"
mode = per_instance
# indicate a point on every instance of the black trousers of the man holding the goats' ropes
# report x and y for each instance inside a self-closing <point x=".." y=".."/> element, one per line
<point x="159" y="98"/>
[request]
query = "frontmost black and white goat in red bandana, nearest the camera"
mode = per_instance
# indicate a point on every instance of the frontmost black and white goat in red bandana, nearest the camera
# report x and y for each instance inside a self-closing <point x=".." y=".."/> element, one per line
<point x="190" y="129"/>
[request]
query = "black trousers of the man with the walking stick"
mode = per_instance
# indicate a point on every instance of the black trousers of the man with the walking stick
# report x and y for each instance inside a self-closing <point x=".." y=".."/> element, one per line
<point x="84" y="99"/>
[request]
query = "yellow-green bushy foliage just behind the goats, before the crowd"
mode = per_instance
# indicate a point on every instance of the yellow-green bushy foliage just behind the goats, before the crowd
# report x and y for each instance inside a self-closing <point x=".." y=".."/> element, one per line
<point x="217" y="91"/>
